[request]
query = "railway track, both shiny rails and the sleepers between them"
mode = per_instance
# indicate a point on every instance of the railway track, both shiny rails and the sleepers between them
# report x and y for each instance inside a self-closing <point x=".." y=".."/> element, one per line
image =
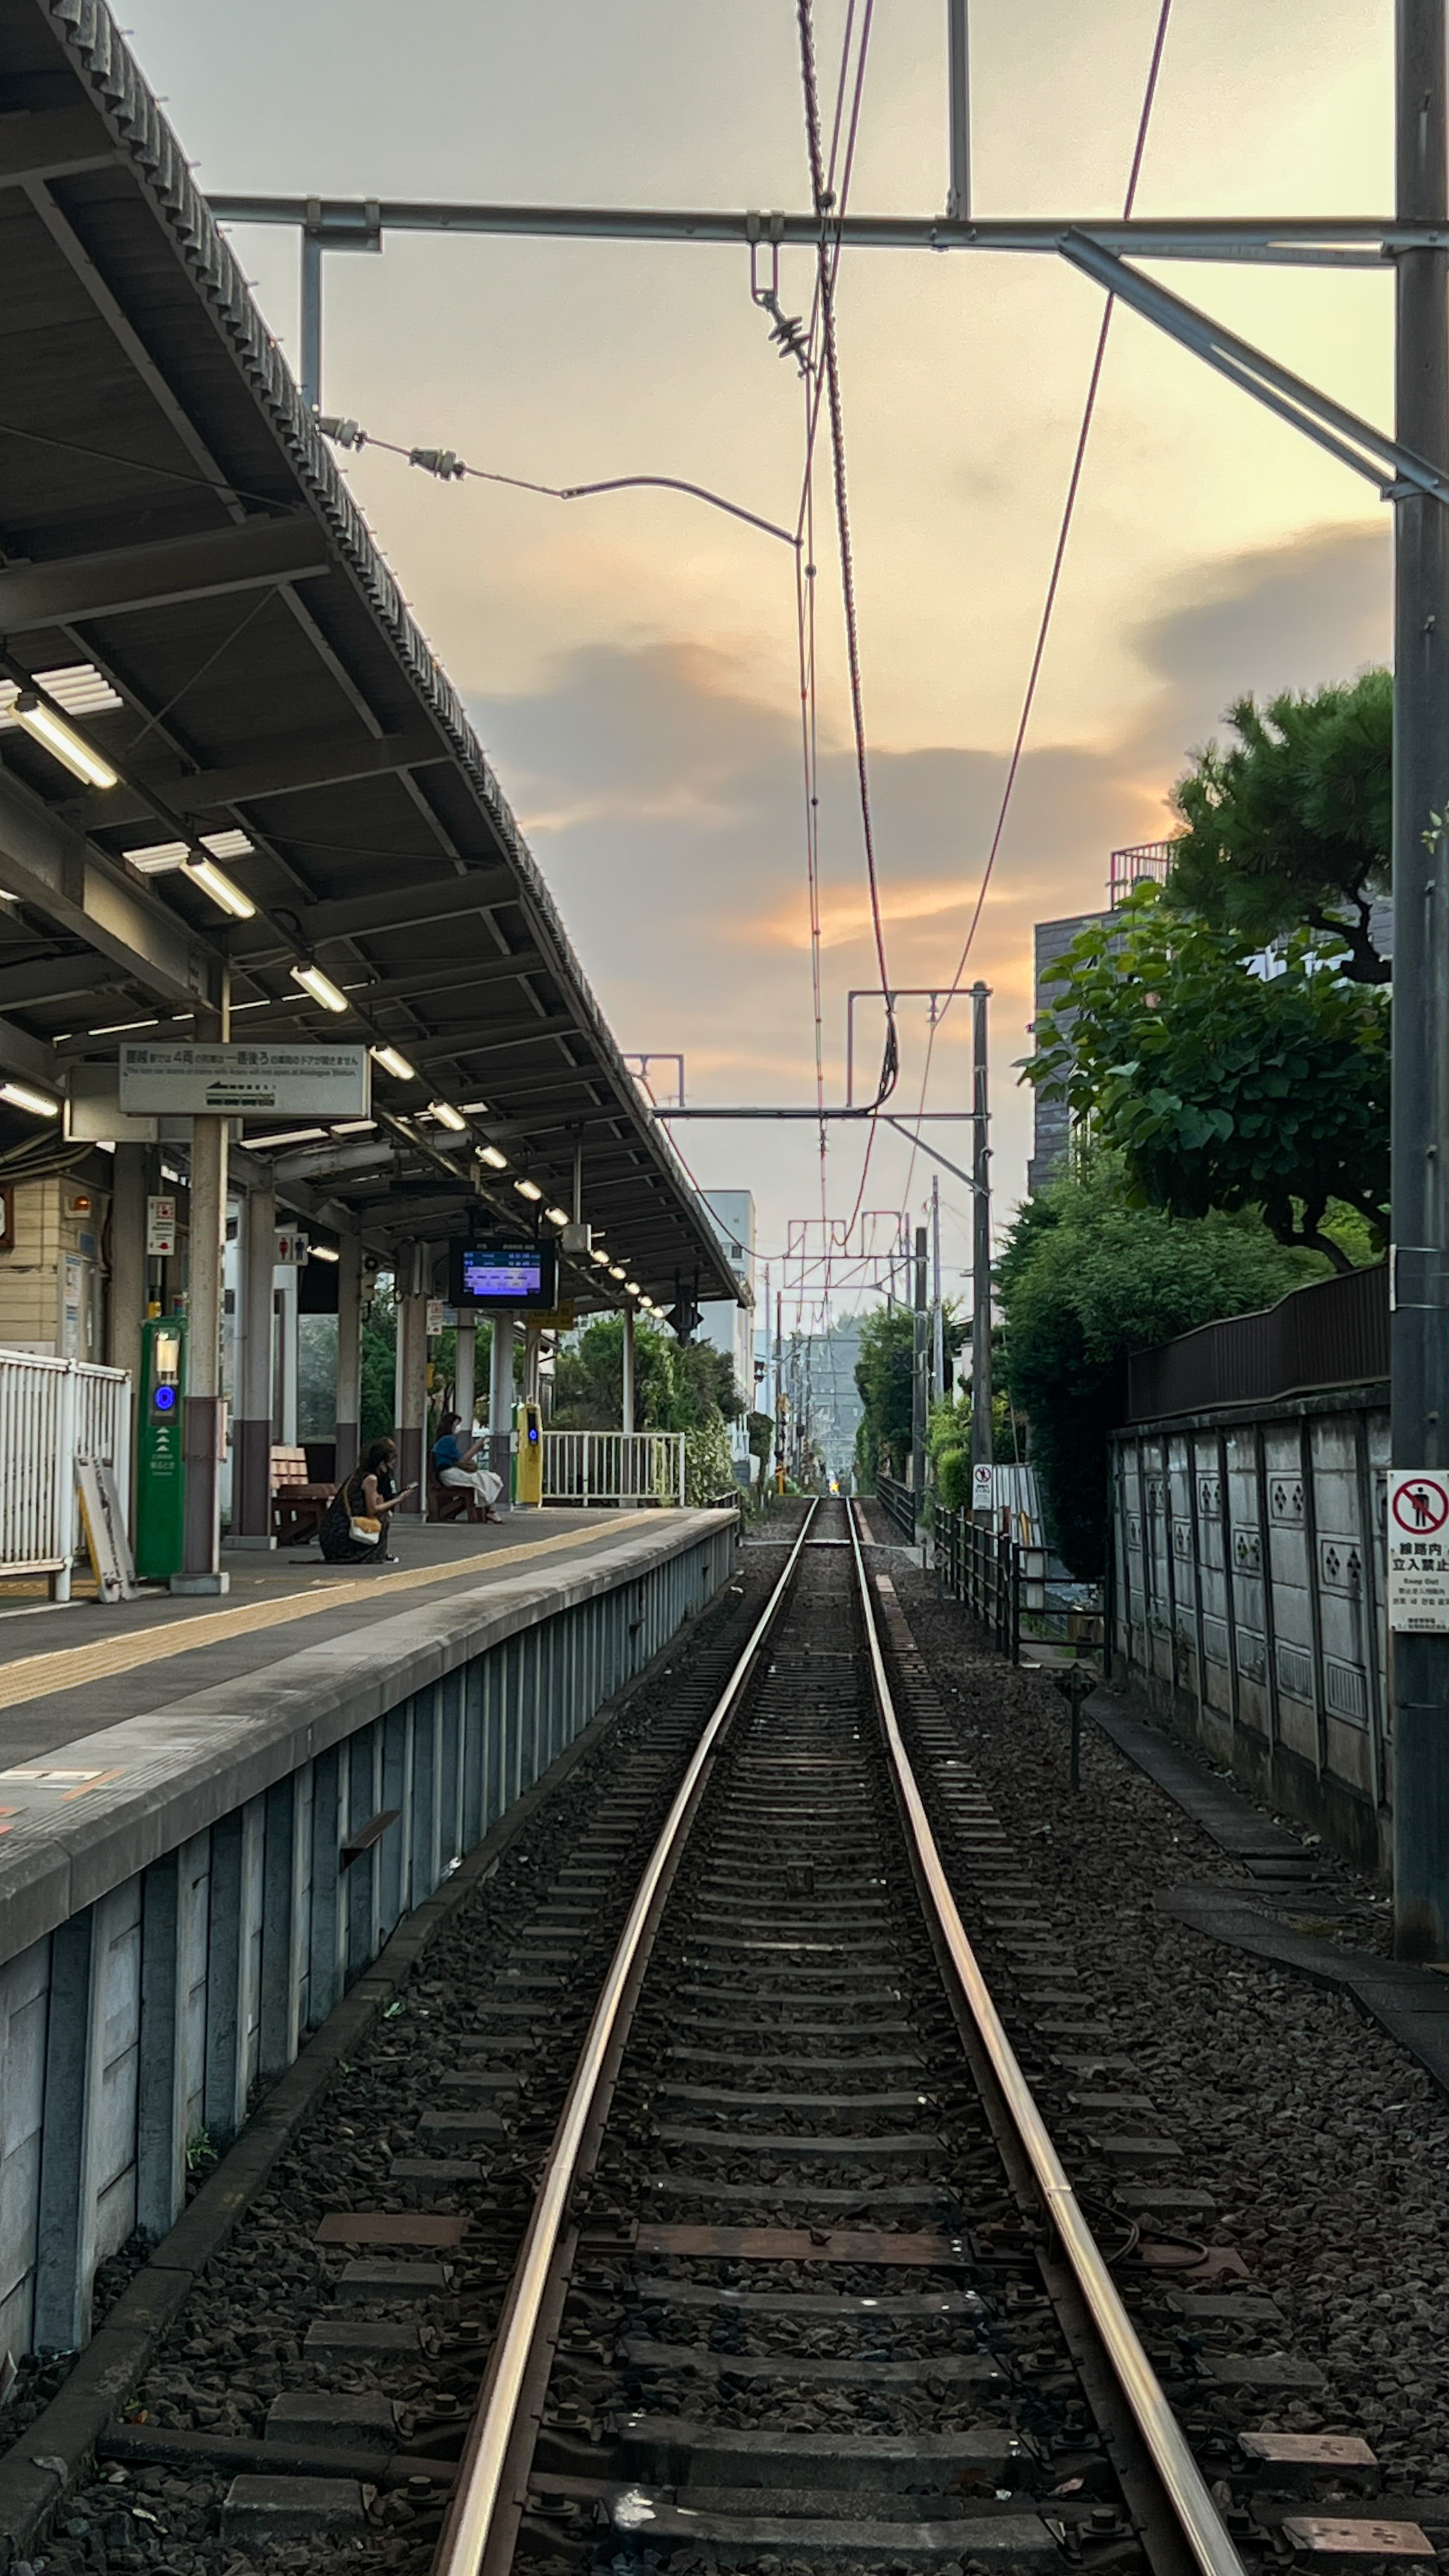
<point x="786" y="2291"/>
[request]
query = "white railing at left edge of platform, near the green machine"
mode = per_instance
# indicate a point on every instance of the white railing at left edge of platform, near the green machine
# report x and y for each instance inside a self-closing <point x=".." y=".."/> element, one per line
<point x="55" y="1413"/>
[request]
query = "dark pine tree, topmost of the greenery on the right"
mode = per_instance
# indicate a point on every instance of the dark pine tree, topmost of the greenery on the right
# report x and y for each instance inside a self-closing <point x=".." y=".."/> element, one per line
<point x="1291" y="826"/>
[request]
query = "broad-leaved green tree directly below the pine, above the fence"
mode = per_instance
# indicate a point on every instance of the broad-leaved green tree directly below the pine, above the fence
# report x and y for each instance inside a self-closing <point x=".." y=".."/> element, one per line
<point x="1224" y="1088"/>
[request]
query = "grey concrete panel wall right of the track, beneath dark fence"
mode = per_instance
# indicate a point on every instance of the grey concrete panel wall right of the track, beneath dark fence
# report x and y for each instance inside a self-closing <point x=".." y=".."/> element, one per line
<point x="1250" y="1598"/>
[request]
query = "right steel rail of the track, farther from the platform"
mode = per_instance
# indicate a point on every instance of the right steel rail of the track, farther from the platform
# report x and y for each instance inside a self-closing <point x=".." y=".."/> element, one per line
<point x="1165" y="2441"/>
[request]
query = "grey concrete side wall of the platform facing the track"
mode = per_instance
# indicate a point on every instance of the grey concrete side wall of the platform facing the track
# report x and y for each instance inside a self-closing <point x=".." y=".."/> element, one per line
<point x="145" y="2018"/>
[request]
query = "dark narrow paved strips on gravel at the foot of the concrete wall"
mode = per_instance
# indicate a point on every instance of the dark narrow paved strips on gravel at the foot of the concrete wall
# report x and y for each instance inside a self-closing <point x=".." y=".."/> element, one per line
<point x="1409" y="2003"/>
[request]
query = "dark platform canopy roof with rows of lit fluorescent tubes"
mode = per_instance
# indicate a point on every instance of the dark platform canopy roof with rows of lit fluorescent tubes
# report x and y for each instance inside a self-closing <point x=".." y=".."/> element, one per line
<point x="189" y="581"/>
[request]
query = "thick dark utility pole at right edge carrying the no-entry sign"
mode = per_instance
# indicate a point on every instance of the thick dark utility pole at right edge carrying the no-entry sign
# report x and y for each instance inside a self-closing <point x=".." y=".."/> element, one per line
<point x="1419" y="1261"/>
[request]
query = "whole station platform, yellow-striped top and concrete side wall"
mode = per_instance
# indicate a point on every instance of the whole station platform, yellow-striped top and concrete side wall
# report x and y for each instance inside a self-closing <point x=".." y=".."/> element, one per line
<point x="215" y="1815"/>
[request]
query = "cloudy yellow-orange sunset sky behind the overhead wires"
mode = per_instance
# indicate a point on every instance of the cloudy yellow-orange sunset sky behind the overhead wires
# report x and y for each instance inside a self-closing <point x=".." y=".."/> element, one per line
<point x="632" y="661"/>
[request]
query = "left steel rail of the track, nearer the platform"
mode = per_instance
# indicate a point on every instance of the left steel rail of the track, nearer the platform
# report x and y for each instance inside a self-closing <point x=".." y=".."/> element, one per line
<point x="485" y="2459"/>
